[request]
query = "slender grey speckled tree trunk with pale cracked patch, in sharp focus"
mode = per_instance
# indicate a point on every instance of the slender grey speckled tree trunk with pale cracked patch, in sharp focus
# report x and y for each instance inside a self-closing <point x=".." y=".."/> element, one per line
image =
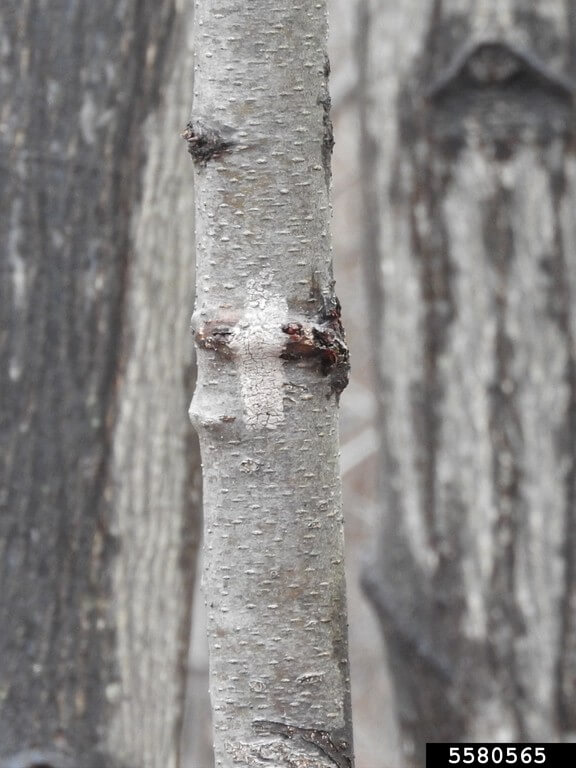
<point x="272" y="362"/>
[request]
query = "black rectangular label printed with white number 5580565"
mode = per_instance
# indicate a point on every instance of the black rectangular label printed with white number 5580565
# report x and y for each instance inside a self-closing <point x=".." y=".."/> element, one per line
<point x="500" y="755"/>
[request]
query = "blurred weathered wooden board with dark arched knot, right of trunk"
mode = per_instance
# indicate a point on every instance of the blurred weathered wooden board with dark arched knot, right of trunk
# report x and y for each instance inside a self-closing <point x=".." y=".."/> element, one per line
<point x="468" y="153"/>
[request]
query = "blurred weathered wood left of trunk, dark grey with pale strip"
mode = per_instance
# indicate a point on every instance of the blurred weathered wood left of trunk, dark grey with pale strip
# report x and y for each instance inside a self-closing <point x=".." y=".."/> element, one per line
<point x="99" y="469"/>
